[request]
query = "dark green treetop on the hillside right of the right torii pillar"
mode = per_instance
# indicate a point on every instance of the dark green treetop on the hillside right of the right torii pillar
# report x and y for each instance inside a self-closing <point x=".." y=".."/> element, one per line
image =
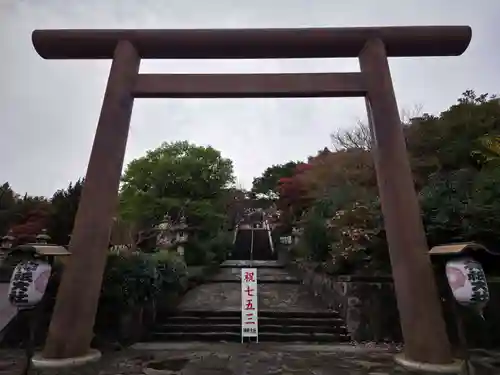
<point x="451" y="141"/>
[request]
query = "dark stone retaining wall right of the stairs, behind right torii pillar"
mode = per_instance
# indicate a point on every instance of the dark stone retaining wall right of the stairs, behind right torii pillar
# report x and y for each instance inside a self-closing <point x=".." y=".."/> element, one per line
<point x="368" y="305"/>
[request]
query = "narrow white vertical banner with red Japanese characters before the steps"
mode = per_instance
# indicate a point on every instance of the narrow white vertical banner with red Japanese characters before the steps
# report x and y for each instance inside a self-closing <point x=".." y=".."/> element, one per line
<point x="249" y="317"/>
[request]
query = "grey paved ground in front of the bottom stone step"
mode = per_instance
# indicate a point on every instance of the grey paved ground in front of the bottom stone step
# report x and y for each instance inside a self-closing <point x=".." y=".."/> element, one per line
<point x="241" y="359"/>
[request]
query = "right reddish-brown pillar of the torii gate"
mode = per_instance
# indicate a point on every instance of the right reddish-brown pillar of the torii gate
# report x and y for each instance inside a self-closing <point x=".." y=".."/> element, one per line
<point x="419" y="306"/>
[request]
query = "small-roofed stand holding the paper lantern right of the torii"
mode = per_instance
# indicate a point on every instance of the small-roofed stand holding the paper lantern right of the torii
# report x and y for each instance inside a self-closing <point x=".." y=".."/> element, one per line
<point x="446" y="253"/>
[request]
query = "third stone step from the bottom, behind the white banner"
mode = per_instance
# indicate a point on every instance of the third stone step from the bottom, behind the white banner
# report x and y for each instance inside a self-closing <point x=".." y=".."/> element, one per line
<point x="236" y="320"/>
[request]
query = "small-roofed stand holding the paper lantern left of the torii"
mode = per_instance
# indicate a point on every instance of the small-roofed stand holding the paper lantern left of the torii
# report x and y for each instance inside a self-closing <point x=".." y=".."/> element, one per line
<point x="29" y="252"/>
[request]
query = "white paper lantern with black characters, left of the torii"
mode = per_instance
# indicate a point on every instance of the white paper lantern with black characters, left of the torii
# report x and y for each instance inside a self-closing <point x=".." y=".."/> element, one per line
<point x="28" y="283"/>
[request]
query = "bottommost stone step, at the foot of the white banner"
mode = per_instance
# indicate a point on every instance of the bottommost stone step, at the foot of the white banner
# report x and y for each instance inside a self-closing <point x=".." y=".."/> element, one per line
<point x="236" y="337"/>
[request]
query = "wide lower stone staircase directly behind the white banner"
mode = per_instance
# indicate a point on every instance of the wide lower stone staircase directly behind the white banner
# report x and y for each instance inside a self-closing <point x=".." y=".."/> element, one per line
<point x="287" y="312"/>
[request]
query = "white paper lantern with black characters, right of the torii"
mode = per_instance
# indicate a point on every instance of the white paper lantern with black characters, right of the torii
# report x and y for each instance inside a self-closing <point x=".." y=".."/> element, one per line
<point x="468" y="283"/>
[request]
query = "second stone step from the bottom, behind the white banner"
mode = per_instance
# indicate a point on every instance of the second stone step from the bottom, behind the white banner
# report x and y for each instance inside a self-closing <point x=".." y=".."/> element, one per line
<point x="264" y="327"/>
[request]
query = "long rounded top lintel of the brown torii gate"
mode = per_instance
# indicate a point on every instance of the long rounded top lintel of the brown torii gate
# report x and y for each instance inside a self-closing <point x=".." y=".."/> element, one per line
<point x="253" y="43"/>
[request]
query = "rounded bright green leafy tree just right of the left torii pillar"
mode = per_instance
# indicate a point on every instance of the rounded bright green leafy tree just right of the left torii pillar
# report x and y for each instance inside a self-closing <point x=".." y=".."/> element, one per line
<point x="177" y="178"/>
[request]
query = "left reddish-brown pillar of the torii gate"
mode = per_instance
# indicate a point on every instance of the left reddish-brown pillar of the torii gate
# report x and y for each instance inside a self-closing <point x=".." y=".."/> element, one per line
<point x="71" y="328"/>
